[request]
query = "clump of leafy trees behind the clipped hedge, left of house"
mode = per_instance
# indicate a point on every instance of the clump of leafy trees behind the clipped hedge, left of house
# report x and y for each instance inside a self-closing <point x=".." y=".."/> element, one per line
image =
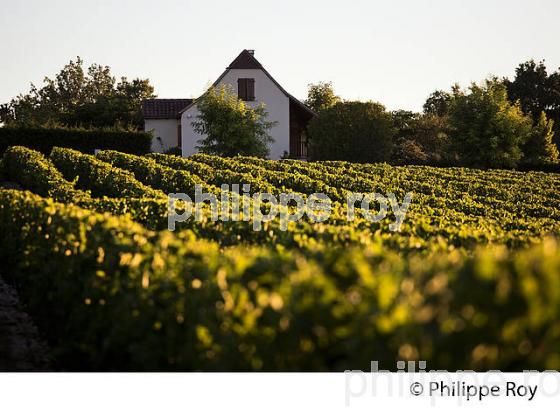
<point x="76" y="98"/>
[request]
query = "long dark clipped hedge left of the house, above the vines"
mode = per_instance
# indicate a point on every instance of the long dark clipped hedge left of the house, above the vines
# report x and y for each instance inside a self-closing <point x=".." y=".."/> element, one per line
<point x="44" y="139"/>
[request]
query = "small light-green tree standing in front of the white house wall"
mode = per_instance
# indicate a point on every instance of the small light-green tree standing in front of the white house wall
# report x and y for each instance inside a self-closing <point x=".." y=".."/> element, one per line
<point x="230" y="126"/>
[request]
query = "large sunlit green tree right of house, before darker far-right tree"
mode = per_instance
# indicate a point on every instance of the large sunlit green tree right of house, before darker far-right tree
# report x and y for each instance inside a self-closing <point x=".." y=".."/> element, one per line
<point x="487" y="130"/>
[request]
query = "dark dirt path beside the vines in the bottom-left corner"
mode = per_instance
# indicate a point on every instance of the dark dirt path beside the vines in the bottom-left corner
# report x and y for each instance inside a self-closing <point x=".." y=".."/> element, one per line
<point x="21" y="348"/>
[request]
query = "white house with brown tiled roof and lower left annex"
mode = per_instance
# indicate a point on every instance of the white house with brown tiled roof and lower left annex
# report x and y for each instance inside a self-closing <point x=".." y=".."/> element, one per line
<point x="171" y="119"/>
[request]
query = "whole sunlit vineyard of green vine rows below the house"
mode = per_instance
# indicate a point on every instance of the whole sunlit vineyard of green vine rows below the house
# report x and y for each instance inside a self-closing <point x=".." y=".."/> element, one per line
<point x="470" y="281"/>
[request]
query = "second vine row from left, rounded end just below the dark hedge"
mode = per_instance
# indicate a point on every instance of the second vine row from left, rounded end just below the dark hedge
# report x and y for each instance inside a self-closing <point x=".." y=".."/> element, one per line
<point x="99" y="177"/>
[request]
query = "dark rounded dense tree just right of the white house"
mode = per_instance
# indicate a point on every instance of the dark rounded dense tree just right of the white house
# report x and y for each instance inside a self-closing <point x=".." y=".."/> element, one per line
<point x="352" y="131"/>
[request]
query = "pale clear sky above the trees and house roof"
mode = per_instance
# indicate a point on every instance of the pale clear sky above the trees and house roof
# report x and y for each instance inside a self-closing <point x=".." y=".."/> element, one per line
<point x="394" y="52"/>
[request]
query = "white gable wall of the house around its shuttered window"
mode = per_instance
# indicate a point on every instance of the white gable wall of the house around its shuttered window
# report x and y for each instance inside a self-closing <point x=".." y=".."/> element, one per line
<point x="276" y="103"/>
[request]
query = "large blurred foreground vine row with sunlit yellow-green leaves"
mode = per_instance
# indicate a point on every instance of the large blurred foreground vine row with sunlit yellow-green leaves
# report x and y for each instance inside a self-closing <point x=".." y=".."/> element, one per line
<point x="111" y="295"/>
